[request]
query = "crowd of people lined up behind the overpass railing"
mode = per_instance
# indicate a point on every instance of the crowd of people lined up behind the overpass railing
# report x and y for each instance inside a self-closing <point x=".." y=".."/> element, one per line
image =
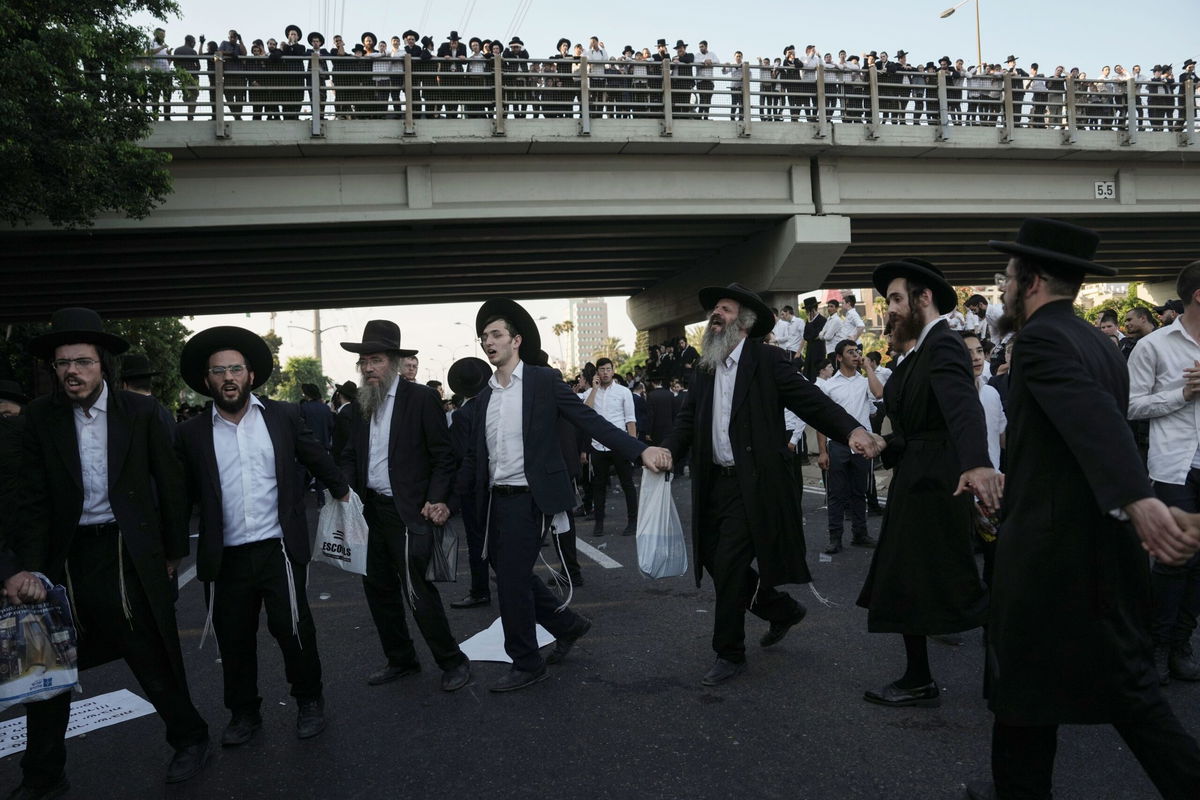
<point x="455" y="80"/>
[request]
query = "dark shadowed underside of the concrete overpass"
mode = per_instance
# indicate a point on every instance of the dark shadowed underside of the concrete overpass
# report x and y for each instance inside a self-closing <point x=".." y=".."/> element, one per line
<point x="225" y="270"/>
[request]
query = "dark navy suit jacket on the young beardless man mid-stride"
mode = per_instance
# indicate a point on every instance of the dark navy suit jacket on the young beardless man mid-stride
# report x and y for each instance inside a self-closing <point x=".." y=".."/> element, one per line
<point x="545" y="400"/>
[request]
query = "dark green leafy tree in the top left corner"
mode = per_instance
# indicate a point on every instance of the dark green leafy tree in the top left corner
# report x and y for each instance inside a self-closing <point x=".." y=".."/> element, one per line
<point x="74" y="109"/>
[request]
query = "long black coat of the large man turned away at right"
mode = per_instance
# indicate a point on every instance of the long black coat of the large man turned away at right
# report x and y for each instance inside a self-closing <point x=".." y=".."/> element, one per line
<point x="1067" y="630"/>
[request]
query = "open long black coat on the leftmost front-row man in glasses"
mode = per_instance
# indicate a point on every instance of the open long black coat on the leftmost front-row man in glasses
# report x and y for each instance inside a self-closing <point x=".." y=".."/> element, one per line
<point x="146" y="489"/>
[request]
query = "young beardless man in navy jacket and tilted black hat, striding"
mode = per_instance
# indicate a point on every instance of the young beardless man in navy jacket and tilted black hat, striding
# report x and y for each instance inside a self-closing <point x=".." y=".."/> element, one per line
<point x="514" y="472"/>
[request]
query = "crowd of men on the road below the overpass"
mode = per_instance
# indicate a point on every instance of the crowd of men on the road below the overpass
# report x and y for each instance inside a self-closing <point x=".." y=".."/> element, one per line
<point x="1089" y="596"/>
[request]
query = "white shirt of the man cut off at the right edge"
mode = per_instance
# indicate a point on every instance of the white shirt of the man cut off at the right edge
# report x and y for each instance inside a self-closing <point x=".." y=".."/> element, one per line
<point x="1156" y="394"/>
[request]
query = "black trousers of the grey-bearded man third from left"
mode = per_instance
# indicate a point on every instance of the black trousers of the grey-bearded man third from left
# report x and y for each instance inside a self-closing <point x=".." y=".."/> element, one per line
<point x="387" y="587"/>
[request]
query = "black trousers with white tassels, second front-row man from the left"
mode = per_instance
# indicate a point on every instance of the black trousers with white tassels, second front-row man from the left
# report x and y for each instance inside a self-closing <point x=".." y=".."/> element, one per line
<point x="254" y="576"/>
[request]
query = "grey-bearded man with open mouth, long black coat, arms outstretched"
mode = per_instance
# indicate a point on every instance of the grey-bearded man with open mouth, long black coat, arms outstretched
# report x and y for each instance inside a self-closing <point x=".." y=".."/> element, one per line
<point x="746" y="504"/>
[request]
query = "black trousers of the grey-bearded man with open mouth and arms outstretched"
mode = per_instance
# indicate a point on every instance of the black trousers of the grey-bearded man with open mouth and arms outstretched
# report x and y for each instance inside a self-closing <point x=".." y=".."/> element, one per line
<point x="727" y="552"/>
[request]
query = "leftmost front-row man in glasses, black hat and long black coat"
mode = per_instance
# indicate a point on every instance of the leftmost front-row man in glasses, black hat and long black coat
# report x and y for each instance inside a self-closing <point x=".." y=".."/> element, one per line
<point x="105" y="512"/>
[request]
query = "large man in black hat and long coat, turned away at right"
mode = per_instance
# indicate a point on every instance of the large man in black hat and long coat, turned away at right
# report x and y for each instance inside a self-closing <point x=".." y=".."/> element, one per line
<point x="1067" y="640"/>
